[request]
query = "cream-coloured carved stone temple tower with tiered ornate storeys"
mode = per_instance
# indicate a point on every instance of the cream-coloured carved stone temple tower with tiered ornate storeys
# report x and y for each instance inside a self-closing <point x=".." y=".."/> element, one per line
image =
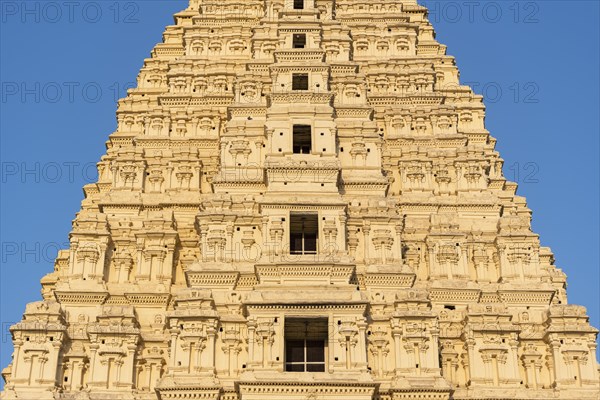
<point x="301" y="202"/>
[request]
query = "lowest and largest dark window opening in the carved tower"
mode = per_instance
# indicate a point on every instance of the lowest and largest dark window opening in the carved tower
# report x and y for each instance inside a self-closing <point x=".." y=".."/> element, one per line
<point x="305" y="344"/>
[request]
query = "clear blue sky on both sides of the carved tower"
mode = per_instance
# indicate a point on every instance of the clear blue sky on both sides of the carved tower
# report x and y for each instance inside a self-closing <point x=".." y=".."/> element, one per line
<point x="63" y="67"/>
